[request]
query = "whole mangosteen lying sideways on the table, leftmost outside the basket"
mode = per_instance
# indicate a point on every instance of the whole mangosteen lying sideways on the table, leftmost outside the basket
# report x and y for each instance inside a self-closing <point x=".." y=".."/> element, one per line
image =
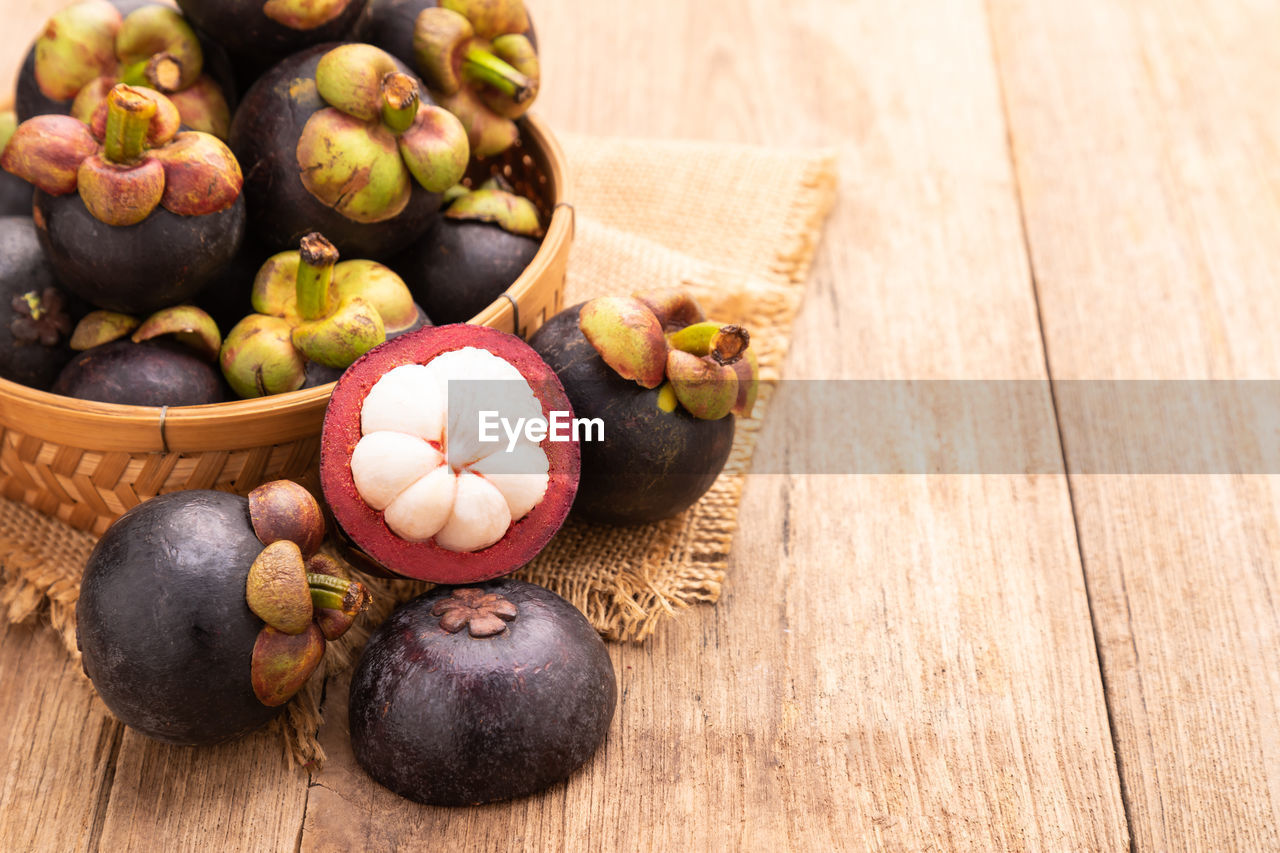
<point x="202" y="613"/>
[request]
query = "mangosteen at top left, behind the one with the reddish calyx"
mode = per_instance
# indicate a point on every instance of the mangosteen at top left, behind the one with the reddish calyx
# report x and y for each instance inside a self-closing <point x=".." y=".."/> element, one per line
<point x="90" y="47"/>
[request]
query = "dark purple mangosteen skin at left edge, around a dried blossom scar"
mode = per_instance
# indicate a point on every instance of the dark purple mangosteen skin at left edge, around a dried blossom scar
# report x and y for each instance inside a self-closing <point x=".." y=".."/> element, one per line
<point x="22" y="271"/>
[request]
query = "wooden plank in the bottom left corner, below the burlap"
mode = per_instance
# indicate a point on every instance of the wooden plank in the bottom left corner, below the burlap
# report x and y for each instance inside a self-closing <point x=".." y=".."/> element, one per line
<point x="58" y="746"/>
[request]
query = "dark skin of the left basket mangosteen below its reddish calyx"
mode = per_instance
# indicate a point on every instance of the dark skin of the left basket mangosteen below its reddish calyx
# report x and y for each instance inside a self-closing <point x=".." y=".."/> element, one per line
<point x="138" y="270"/>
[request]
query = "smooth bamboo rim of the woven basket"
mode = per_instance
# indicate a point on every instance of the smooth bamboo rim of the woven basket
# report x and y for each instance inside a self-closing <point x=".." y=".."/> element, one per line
<point x="115" y="428"/>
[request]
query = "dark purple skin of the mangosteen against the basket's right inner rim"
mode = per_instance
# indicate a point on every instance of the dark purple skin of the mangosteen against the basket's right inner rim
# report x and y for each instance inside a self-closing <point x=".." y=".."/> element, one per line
<point x="460" y="268"/>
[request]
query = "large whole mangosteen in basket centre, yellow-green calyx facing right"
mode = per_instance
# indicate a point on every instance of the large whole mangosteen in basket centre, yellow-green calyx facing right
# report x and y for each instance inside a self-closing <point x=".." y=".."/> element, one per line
<point x="342" y="140"/>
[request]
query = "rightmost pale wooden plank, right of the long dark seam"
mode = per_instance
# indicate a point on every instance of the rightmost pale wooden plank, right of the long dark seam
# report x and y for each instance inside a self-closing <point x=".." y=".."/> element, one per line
<point x="1148" y="143"/>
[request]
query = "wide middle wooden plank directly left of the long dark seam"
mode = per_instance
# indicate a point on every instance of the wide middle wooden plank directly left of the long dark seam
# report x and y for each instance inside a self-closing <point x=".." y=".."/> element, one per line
<point x="898" y="663"/>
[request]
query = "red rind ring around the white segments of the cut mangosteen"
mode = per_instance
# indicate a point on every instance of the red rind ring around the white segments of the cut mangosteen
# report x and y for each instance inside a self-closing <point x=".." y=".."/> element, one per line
<point x="365" y="527"/>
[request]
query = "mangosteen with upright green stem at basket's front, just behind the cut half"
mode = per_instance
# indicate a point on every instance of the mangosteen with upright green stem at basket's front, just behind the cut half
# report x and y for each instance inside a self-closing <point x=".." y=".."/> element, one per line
<point x="314" y="318"/>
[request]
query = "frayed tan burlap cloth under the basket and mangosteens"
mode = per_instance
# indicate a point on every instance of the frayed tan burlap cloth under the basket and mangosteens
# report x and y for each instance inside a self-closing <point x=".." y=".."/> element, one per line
<point x="738" y="226"/>
